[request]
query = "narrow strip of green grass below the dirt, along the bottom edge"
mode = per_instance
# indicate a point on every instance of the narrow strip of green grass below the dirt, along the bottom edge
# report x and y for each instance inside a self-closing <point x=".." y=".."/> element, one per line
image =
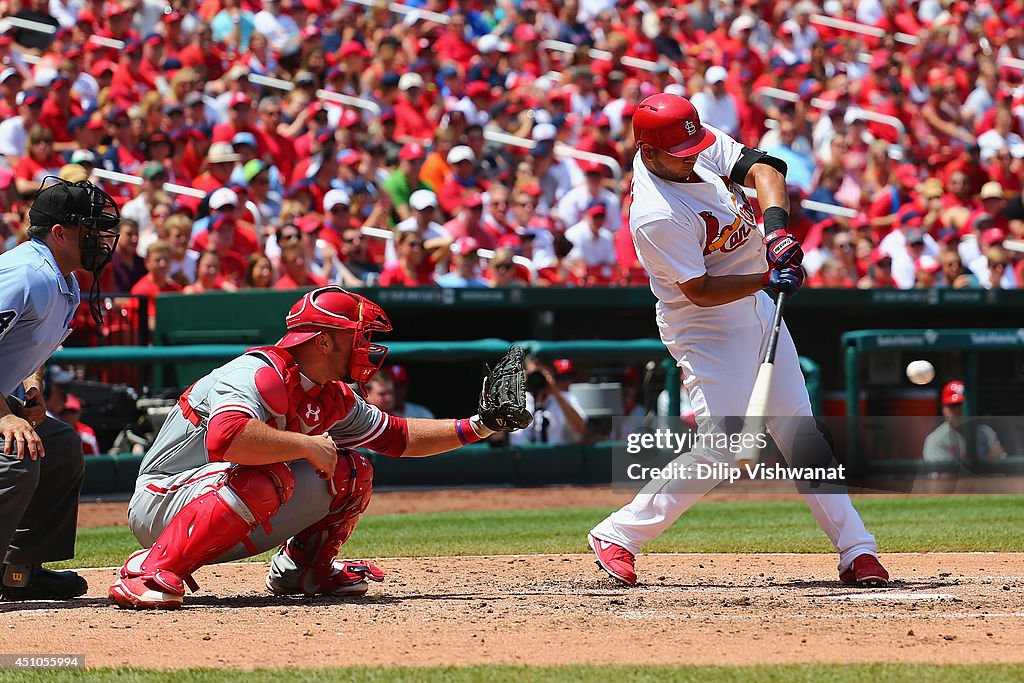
<point x="566" y="674"/>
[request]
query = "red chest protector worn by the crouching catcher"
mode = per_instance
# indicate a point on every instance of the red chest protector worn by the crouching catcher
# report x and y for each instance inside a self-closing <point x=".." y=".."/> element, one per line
<point x="292" y="407"/>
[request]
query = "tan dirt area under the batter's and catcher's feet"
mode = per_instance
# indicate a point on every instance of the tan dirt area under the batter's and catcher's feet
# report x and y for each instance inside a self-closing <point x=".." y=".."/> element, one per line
<point x="715" y="610"/>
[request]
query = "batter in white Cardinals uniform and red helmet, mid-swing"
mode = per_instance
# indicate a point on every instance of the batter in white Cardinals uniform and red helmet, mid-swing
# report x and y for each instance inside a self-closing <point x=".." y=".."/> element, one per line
<point x="696" y="234"/>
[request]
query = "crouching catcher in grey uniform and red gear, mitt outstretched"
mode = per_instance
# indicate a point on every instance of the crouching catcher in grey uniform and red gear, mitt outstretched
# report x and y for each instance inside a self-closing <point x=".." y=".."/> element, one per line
<point x="260" y="454"/>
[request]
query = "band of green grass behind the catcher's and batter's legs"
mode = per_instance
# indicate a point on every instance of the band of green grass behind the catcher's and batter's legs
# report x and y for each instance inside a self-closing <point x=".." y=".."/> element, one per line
<point x="902" y="525"/>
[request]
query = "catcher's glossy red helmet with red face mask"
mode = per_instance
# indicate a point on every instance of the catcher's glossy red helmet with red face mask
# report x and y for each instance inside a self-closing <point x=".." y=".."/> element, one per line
<point x="336" y="309"/>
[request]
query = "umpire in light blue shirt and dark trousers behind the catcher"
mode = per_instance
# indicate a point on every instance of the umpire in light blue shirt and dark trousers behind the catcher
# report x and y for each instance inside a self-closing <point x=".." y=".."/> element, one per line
<point x="73" y="227"/>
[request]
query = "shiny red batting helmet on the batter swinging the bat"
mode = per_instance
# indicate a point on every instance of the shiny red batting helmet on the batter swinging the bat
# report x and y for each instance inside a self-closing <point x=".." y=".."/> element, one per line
<point x="671" y="124"/>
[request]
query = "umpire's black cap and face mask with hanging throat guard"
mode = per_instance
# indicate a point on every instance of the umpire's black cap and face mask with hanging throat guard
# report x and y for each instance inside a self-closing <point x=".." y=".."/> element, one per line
<point x="89" y="208"/>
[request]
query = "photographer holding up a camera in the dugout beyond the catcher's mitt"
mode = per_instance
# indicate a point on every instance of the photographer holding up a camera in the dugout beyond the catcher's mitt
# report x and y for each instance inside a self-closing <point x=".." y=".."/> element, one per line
<point x="559" y="418"/>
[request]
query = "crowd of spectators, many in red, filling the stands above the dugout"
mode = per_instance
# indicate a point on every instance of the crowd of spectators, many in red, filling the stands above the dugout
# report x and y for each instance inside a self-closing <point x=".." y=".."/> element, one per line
<point x="409" y="185"/>
